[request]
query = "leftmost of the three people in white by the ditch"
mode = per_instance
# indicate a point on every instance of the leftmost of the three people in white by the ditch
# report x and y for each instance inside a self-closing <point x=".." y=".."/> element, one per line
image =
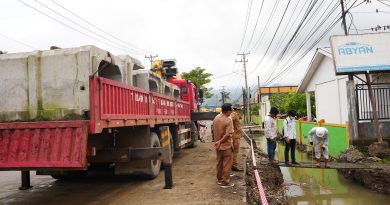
<point x="271" y="132"/>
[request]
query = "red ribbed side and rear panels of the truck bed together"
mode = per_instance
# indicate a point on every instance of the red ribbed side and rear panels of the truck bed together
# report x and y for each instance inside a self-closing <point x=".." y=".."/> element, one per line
<point x="63" y="144"/>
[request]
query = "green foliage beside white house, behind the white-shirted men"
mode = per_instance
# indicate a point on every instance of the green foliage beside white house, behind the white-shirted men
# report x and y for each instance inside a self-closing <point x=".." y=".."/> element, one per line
<point x="292" y="101"/>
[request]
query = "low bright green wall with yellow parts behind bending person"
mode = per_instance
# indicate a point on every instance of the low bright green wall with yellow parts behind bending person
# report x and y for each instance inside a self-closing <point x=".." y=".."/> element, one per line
<point x="338" y="135"/>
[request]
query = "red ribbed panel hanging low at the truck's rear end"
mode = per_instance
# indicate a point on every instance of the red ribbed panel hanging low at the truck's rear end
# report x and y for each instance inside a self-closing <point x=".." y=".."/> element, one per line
<point x="49" y="145"/>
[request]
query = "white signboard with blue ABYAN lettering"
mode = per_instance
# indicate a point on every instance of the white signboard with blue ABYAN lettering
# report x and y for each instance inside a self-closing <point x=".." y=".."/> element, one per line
<point x="361" y="53"/>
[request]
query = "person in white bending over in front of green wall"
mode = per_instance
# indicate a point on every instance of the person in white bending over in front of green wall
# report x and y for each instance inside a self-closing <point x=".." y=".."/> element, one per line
<point x="319" y="138"/>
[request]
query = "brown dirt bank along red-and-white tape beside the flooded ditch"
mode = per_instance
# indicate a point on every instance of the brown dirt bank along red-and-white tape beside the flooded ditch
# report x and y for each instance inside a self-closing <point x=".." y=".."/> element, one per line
<point x="271" y="179"/>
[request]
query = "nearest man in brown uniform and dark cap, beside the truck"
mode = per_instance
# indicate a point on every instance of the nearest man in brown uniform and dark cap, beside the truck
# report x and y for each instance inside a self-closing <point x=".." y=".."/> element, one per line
<point x="223" y="133"/>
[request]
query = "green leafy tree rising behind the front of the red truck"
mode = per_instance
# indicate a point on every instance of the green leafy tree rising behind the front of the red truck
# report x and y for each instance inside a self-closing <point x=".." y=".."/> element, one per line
<point x="201" y="79"/>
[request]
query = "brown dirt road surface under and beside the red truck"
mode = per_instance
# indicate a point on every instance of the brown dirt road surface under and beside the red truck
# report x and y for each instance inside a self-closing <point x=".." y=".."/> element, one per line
<point x="193" y="177"/>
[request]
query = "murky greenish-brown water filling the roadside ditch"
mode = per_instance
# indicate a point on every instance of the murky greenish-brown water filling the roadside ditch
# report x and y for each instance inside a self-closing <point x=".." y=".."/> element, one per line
<point x="321" y="186"/>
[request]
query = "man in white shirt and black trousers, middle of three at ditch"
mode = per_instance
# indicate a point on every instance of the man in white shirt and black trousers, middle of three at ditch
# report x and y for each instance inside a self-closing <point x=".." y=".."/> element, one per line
<point x="290" y="137"/>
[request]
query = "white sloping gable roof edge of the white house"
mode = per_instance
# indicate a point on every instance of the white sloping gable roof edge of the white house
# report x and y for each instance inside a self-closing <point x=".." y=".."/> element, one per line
<point x="318" y="56"/>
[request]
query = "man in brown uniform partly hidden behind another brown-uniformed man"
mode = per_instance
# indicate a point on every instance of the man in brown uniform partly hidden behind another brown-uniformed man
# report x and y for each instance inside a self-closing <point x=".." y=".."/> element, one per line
<point x="236" y="117"/>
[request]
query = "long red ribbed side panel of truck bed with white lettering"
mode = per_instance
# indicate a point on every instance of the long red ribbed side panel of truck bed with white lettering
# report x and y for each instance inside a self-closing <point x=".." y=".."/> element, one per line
<point x="114" y="104"/>
